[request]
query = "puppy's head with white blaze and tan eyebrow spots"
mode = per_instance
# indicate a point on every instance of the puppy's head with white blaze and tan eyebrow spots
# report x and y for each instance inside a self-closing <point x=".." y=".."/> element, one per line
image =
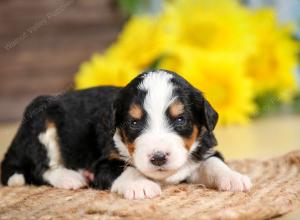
<point x="162" y="122"/>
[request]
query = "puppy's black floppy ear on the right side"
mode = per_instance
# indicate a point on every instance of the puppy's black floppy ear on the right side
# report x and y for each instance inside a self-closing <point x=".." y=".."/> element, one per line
<point x="204" y="112"/>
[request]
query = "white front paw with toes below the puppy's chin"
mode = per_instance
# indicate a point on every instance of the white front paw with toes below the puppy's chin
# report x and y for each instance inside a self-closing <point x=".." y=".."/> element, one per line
<point x="139" y="189"/>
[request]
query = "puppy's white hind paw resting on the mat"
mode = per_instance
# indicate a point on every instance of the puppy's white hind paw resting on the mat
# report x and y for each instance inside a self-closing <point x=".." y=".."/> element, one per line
<point x="65" y="178"/>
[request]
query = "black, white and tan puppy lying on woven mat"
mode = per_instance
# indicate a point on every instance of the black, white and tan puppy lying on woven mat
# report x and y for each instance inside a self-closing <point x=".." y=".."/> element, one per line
<point x="156" y="130"/>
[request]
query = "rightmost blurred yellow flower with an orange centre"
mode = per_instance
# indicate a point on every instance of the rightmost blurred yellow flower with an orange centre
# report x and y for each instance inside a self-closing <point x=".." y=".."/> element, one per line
<point x="272" y="65"/>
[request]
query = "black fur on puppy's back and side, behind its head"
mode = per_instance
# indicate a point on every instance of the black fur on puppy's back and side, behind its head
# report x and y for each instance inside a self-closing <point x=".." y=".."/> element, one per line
<point x="85" y="124"/>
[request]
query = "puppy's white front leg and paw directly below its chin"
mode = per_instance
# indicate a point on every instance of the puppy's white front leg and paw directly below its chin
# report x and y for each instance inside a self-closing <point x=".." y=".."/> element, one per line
<point x="133" y="185"/>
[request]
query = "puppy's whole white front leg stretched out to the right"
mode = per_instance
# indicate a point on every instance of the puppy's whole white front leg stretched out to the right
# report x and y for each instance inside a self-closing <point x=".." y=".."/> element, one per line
<point x="213" y="172"/>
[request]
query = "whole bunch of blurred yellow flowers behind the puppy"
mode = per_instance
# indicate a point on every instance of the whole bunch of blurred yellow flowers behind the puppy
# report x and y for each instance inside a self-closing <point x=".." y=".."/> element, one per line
<point x="231" y="53"/>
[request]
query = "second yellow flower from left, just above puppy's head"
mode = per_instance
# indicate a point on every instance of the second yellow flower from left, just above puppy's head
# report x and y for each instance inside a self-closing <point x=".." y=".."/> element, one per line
<point x="141" y="42"/>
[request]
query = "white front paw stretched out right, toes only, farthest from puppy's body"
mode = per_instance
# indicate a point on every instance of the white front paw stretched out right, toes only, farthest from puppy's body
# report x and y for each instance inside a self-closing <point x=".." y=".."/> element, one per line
<point x="233" y="181"/>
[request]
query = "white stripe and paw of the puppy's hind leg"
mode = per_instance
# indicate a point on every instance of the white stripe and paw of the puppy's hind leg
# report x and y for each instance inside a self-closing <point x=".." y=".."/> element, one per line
<point x="57" y="175"/>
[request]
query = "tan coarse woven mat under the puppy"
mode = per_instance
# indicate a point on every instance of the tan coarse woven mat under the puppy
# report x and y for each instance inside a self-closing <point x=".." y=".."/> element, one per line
<point x="276" y="191"/>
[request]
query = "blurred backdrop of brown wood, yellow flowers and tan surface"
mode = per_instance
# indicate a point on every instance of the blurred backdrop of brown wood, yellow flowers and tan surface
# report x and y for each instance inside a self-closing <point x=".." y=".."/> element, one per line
<point x="244" y="56"/>
